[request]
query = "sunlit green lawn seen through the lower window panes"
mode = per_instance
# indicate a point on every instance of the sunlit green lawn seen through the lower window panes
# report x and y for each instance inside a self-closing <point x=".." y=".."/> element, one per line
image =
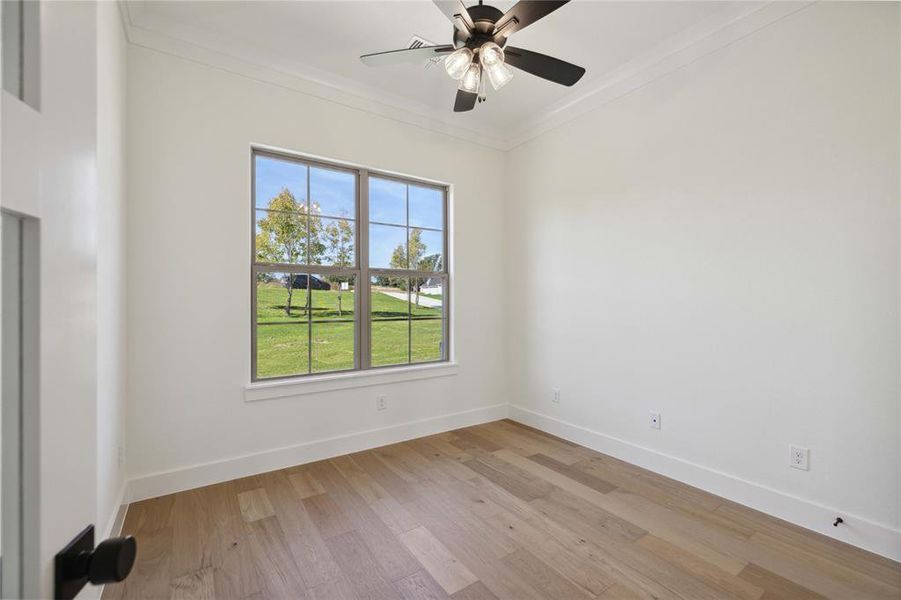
<point x="282" y="338"/>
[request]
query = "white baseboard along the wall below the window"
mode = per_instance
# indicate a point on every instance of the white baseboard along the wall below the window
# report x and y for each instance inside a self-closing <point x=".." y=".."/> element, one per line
<point x="168" y="482"/>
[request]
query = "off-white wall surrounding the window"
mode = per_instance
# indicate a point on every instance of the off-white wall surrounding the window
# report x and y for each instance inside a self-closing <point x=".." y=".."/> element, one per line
<point x="190" y="128"/>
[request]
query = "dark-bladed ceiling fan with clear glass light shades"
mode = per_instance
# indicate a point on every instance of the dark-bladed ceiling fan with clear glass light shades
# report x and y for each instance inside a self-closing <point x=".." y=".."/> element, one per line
<point x="480" y="48"/>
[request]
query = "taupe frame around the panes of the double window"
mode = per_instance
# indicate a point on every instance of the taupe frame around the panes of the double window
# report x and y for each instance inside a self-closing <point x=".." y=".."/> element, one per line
<point x="359" y="375"/>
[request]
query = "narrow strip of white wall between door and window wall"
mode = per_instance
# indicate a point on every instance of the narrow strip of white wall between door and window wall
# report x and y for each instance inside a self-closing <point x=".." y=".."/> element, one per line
<point x="111" y="83"/>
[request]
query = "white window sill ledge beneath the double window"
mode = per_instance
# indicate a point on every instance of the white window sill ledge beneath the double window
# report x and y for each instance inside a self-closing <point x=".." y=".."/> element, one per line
<point x="270" y="390"/>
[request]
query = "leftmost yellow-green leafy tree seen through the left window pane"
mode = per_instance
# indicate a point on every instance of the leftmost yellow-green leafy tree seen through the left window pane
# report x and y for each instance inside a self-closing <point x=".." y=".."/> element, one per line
<point x="286" y="234"/>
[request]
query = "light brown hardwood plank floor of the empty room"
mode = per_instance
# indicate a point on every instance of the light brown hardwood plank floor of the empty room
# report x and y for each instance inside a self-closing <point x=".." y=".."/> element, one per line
<point x="493" y="511"/>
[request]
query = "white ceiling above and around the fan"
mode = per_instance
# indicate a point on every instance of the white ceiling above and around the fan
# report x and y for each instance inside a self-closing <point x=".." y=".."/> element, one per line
<point x="322" y="41"/>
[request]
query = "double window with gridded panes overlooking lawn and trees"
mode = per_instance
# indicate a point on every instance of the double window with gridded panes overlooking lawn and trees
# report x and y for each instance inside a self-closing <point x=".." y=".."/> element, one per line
<point x="349" y="269"/>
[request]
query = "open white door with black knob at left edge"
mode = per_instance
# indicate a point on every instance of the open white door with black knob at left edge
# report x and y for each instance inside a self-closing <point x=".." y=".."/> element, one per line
<point x="48" y="149"/>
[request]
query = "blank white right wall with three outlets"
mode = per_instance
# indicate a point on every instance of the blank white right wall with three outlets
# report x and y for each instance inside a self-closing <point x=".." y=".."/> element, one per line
<point x="722" y="245"/>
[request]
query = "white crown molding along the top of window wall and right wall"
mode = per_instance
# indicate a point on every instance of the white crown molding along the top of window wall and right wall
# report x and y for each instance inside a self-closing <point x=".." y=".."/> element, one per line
<point x="726" y="26"/>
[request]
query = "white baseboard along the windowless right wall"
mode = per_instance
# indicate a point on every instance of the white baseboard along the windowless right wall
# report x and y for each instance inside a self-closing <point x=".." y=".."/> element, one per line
<point x="855" y="530"/>
